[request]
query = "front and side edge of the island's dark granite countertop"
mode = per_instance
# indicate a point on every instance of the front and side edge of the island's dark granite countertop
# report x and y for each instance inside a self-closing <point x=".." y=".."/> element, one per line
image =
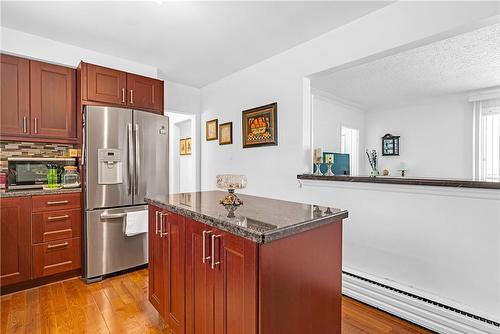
<point x="260" y="238"/>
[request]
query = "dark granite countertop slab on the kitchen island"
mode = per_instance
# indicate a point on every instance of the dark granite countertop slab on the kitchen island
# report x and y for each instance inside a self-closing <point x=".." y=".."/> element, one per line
<point x="259" y="219"/>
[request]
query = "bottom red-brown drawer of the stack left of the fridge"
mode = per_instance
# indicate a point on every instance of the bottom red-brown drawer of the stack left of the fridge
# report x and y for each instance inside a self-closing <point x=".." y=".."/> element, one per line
<point x="56" y="257"/>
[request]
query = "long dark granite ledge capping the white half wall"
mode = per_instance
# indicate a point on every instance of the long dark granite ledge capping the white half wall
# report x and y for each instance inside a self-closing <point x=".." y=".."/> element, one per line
<point x="436" y="182"/>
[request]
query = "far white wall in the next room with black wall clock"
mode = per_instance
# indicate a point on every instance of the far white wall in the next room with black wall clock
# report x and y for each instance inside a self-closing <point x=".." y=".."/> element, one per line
<point x="436" y="136"/>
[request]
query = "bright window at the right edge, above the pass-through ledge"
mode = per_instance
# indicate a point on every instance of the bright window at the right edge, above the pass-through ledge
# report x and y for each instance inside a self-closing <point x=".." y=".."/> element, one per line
<point x="489" y="142"/>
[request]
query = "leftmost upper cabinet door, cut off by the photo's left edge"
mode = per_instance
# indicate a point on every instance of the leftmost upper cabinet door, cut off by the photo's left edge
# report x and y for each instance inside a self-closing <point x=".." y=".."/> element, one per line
<point x="14" y="96"/>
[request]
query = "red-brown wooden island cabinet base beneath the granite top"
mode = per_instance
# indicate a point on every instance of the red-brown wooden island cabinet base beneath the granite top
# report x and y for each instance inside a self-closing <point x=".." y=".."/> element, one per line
<point x="236" y="286"/>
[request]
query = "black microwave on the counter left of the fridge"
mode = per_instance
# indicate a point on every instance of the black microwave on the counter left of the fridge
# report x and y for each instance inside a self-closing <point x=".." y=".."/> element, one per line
<point x="31" y="173"/>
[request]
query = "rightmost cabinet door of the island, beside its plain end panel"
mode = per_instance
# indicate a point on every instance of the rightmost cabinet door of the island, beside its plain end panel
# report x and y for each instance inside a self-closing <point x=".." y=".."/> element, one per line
<point x="235" y="280"/>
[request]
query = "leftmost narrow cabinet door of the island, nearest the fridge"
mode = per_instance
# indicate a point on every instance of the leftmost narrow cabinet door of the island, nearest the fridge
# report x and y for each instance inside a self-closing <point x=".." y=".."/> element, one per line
<point x="156" y="290"/>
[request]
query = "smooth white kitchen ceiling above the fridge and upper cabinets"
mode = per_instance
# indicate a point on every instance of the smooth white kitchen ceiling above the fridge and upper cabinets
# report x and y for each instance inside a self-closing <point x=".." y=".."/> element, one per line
<point x="191" y="42"/>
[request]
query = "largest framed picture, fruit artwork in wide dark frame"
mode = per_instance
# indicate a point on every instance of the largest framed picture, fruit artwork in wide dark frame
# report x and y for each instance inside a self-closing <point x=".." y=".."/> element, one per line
<point x="260" y="126"/>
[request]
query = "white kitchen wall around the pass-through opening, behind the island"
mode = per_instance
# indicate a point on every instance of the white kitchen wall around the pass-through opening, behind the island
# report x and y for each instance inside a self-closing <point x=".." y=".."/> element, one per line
<point x="272" y="171"/>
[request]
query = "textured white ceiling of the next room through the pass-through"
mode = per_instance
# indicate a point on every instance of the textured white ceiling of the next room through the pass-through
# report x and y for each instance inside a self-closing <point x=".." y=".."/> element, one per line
<point x="462" y="63"/>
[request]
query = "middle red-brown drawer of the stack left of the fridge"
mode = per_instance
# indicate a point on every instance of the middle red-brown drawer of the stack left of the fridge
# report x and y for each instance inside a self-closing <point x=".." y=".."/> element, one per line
<point x="55" y="225"/>
